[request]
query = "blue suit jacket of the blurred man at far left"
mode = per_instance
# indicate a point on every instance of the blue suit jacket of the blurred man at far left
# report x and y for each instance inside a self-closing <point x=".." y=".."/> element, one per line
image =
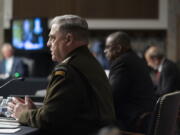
<point x="18" y="66"/>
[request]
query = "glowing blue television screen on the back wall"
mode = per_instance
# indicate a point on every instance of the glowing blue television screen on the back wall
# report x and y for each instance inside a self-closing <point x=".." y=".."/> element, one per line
<point x="29" y="34"/>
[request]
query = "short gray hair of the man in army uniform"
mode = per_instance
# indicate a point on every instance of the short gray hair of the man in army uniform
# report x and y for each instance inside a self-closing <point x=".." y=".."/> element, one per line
<point x="72" y="24"/>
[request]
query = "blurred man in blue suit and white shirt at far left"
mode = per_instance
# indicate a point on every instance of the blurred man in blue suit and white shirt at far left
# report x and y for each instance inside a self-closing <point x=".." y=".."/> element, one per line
<point x="10" y="64"/>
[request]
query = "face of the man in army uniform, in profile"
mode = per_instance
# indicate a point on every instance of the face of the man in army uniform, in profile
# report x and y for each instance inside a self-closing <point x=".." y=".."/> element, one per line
<point x="56" y="43"/>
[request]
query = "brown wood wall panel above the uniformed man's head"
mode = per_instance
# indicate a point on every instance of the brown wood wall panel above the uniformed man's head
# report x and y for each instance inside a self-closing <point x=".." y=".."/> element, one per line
<point x="121" y="9"/>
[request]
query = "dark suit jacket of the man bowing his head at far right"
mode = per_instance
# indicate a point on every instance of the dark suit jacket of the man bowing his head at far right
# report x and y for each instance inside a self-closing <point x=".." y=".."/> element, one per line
<point x="169" y="78"/>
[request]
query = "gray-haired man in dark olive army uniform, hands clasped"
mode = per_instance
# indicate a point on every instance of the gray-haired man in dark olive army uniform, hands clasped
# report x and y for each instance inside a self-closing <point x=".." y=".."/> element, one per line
<point x="78" y="99"/>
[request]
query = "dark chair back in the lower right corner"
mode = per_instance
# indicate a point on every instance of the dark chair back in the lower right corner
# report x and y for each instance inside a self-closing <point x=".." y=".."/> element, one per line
<point x="165" y="115"/>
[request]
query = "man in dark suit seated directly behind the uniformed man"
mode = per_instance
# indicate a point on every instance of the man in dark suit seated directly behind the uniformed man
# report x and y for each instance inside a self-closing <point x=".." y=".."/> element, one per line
<point x="132" y="86"/>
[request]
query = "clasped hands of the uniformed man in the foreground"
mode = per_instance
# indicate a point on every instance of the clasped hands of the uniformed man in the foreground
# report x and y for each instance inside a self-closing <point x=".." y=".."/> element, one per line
<point x="19" y="105"/>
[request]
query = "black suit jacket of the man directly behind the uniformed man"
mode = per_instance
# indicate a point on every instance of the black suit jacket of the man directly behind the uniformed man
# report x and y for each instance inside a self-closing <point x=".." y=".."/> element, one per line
<point x="132" y="89"/>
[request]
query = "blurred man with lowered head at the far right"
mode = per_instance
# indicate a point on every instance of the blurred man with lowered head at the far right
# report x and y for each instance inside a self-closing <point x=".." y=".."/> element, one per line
<point x="167" y="75"/>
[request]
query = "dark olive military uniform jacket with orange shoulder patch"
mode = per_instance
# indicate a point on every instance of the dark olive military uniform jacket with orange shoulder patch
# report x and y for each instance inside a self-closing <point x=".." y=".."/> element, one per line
<point x="78" y="99"/>
